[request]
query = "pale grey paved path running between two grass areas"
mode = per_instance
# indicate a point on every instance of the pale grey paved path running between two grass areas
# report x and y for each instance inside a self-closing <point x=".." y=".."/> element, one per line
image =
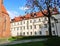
<point x="22" y="41"/>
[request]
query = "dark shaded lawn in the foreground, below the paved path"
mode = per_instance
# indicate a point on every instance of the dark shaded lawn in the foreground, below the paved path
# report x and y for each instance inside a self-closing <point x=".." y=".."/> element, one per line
<point x="54" y="41"/>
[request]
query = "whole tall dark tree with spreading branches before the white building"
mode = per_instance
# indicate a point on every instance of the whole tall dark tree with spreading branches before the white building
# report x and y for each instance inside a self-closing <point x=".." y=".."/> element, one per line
<point x="42" y="5"/>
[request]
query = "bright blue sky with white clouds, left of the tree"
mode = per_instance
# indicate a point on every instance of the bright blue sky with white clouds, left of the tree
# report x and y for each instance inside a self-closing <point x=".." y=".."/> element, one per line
<point x="15" y="7"/>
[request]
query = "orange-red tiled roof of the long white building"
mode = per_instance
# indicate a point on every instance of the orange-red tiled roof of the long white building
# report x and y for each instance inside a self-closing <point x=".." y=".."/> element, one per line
<point x="28" y="16"/>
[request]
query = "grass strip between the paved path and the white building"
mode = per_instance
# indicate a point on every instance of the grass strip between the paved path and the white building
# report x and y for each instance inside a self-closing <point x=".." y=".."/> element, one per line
<point x="24" y="38"/>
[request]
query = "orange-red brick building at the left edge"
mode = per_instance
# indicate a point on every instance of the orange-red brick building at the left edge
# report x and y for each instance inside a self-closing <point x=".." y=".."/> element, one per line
<point x="4" y="22"/>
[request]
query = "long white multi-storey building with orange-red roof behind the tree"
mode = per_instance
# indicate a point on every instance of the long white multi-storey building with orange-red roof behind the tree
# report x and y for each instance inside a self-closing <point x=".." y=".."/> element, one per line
<point x="34" y="26"/>
